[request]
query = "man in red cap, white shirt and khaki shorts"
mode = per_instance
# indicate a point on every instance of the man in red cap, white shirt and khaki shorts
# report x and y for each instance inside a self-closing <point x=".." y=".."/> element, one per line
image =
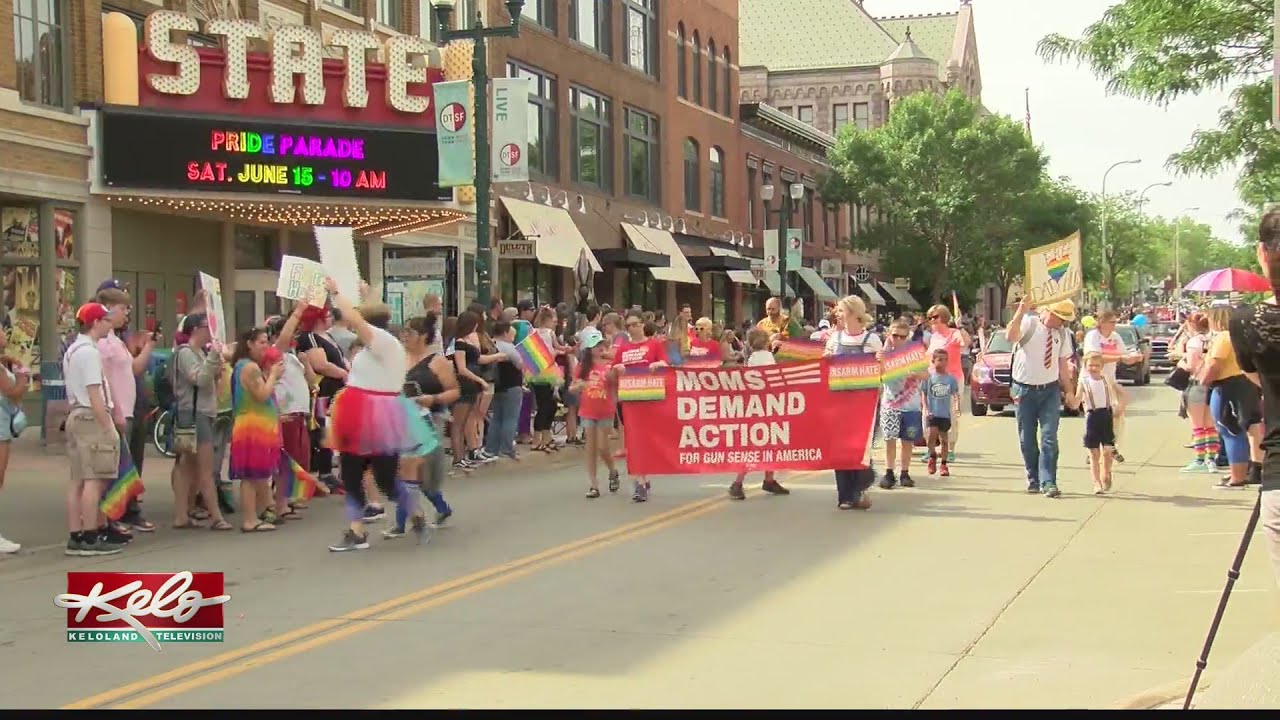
<point x="93" y="441"/>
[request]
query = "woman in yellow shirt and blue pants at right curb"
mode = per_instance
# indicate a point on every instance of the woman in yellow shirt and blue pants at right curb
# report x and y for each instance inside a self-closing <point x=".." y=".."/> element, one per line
<point x="1236" y="403"/>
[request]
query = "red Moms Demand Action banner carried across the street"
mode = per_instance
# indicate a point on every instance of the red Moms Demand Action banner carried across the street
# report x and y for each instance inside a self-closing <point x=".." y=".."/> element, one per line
<point x="790" y="417"/>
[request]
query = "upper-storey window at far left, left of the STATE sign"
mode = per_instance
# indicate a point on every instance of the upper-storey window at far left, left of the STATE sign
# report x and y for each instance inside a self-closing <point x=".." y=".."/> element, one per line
<point x="39" y="45"/>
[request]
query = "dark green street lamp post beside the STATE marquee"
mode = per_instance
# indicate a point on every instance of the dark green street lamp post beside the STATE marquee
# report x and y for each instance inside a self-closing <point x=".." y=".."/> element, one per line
<point x="481" y="85"/>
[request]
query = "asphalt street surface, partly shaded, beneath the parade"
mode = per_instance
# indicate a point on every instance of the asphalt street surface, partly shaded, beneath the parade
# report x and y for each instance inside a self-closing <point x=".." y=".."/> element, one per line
<point x="963" y="593"/>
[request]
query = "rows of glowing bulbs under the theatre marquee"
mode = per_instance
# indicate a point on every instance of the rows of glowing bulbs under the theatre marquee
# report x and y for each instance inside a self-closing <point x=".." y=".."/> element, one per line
<point x="376" y="221"/>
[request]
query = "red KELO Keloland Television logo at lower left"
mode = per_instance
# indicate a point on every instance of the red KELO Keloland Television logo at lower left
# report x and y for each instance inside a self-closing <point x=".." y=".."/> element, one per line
<point x="153" y="608"/>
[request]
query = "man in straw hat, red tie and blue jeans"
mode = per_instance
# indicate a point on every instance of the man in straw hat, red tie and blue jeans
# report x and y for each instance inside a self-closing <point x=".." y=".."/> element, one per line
<point x="1043" y="373"/>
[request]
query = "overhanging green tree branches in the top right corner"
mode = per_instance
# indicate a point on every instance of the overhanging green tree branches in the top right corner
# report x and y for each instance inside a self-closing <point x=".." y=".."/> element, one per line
<point x="1160" y="51"/>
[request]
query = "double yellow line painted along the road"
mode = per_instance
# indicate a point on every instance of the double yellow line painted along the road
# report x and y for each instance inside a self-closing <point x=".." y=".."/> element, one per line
<point x="204" y="672"/>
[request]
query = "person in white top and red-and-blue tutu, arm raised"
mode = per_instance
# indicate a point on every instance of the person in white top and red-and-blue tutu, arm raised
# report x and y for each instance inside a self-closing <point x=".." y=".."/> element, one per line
<point x="372" y="422"/>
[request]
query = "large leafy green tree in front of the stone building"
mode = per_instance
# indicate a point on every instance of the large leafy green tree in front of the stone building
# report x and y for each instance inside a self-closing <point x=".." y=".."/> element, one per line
<point x="940" y="171"/>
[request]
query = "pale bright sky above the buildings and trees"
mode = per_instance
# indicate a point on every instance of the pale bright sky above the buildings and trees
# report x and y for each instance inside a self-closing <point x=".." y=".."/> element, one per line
<point x="1081" y="127"/>
